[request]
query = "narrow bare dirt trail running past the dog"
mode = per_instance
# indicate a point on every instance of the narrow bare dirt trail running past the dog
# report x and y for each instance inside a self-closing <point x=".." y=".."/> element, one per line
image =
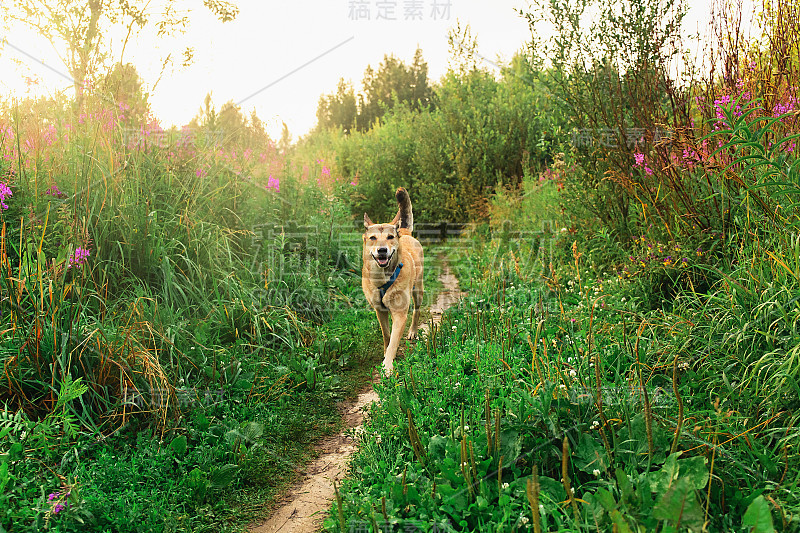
<point x="305" y="505"/>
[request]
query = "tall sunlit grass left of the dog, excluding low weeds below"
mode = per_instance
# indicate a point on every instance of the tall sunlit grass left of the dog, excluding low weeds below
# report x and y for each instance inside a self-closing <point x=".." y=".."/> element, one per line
<point x="124" y="245"/>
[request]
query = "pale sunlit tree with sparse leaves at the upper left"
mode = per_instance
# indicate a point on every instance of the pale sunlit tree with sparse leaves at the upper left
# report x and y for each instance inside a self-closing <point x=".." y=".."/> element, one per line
<point x="78" y="30"/>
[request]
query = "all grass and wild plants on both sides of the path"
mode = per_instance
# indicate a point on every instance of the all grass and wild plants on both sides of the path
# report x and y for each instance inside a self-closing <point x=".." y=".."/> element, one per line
<point x="180" y="314"/>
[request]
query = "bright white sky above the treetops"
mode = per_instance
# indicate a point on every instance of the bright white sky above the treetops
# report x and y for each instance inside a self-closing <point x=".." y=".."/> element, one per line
<point x="279" y="57"/>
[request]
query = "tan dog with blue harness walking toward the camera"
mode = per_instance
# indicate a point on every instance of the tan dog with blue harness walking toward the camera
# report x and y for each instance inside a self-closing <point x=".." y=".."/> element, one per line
<point x="391" y="275"/>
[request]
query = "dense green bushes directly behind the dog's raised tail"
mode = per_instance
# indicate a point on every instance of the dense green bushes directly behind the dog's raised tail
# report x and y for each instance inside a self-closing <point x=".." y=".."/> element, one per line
<point x="480" y="135"/>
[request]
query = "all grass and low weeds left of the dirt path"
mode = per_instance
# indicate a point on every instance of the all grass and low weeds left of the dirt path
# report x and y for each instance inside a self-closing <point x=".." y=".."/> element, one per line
<point x="174" y="376"/>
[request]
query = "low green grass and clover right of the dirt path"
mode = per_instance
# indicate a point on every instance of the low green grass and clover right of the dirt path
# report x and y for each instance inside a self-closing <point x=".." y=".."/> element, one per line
<point x="470" y="435"/>
